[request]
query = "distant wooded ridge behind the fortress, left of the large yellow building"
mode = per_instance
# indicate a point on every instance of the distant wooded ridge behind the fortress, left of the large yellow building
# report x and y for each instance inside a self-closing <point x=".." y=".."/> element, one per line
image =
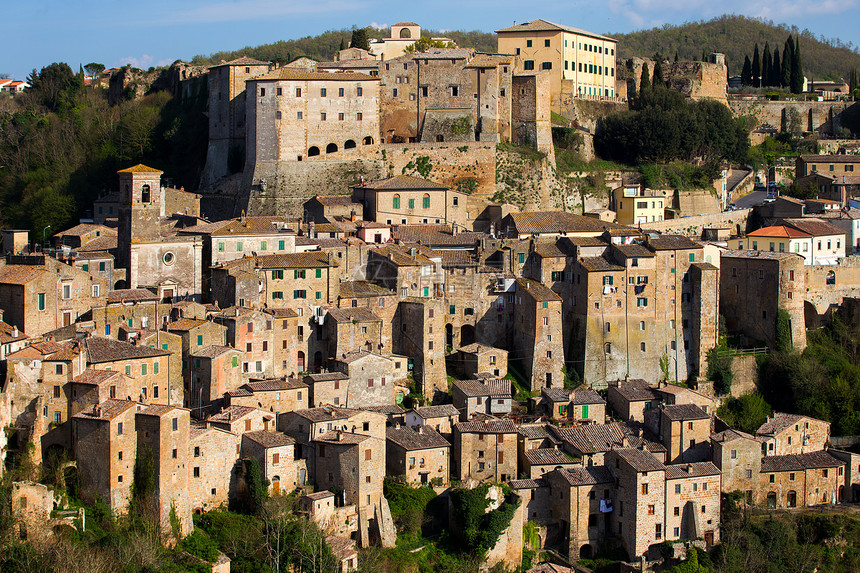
<point x="324" y="46"/>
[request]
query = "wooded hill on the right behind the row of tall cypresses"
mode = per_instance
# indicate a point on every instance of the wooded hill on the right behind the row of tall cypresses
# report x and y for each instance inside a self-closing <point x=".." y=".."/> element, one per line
<point x="735" y="36"/>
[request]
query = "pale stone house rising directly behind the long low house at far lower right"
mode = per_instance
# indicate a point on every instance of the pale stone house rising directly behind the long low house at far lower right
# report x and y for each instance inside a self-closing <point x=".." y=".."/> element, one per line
<point x="785" y="434"/>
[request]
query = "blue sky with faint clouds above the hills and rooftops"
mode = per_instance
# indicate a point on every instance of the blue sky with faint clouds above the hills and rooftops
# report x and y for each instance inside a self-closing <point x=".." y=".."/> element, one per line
<point x="157" y="32"/>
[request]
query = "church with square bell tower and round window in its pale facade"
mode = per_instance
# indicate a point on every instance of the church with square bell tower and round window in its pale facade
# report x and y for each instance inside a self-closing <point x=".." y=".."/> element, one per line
<point x="149" y="245"/>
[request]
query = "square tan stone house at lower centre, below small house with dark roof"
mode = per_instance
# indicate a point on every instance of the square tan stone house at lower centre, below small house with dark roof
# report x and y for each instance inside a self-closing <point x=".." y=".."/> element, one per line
<point x="485" y="449"/>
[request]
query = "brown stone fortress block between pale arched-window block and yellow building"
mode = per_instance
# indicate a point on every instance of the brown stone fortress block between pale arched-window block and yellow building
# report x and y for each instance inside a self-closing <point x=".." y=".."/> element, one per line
<point x="446" y="95"/>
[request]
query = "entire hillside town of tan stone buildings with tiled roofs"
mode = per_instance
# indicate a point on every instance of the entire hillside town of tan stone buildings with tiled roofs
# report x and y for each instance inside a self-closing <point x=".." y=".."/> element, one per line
<point x="386" y="287"/>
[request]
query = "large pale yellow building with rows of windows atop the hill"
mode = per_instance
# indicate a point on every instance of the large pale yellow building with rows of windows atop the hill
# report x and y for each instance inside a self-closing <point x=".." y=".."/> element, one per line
<point x="585" y="59"/>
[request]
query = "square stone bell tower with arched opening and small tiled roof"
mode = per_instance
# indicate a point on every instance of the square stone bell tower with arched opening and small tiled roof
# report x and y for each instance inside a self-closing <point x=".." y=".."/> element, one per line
<point x="140" y="208"/>
